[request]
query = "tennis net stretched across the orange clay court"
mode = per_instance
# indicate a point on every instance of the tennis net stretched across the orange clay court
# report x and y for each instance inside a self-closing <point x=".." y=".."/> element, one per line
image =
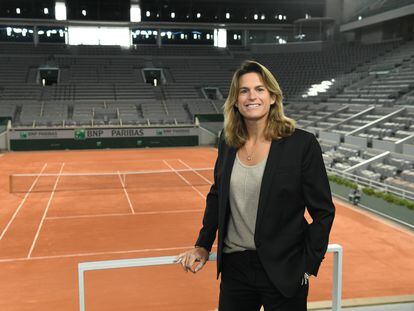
<point x="156" y="179"/>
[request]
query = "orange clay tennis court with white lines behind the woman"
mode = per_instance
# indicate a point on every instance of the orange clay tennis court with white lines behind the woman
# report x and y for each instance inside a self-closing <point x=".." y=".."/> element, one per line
<point x="62" y="208"/>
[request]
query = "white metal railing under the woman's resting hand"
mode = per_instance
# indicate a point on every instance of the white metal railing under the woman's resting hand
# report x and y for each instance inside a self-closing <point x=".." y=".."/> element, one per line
<point x="168" y="260"/>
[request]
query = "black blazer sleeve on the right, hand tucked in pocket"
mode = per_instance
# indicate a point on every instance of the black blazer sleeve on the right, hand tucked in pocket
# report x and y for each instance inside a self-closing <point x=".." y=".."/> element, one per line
<point x="318" y="200"/>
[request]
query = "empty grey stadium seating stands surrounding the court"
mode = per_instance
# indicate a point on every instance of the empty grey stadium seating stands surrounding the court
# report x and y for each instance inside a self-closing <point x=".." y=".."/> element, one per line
<point x="369" y="99"/>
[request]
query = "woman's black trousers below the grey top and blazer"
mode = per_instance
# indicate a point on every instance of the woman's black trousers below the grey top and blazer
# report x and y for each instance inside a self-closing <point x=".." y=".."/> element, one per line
<point x="246" y="287"/>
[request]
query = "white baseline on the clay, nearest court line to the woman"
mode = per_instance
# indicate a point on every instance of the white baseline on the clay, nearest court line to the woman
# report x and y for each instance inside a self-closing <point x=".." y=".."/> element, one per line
<point x="144" y="250"/>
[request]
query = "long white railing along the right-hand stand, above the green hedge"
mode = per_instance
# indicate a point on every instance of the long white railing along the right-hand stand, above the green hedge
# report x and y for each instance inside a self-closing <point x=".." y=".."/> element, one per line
<point x="372" y="183"/>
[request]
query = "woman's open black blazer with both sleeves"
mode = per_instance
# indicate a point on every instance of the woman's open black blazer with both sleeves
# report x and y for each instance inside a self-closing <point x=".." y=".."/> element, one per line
<point x="294" y="178"/>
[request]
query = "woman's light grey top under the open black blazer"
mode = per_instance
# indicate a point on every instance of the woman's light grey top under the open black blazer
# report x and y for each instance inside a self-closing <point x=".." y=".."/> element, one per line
<point x="245" y="185"/>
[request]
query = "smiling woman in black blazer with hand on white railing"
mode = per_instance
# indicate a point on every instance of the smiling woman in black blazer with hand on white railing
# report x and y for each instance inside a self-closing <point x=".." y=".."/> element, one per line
<point x="266" y="174"/>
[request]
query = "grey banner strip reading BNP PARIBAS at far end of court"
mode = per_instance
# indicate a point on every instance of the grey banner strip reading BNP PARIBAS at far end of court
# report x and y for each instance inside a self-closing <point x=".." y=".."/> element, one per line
<point x="88" y="133"/>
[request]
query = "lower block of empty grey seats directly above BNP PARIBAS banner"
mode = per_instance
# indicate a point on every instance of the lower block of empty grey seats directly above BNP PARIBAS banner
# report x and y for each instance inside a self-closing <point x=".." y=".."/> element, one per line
<point x="143" y="112"/>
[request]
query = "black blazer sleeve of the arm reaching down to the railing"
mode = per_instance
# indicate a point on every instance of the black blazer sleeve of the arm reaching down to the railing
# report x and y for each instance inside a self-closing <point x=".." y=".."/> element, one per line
<point x="209" y="228"/>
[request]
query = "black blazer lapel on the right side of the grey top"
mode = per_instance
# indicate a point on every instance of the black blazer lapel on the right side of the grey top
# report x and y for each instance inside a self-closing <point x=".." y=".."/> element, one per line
<point x="273" y="160"/>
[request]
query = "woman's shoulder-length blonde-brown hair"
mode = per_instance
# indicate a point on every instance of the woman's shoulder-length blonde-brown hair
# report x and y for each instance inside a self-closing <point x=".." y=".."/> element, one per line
<point x="278" y="125"/>
